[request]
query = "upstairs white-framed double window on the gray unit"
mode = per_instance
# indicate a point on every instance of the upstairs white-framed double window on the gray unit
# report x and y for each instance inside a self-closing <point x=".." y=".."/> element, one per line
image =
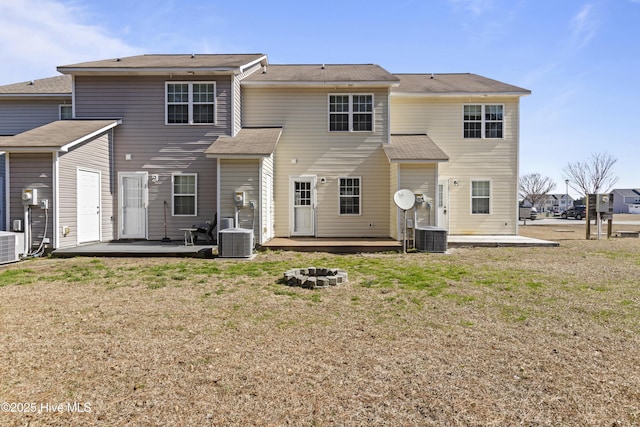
<point x="191" y="103"/>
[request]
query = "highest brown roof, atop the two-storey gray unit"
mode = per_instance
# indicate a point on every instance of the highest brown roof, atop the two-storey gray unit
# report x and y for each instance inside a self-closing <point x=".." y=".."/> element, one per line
<point x="150" y="64"/>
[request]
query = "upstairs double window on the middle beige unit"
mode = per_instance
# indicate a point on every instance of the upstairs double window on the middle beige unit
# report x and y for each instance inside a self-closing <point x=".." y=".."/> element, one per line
<point x="351" y="113"/>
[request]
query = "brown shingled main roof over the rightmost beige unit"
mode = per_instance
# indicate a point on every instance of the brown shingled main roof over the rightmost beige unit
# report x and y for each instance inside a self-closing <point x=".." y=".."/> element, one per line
<point x="462" y="84"/>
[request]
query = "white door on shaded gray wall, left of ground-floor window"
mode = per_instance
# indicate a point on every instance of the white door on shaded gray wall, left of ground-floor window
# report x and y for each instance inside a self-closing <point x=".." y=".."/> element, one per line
<point x="133" y="205"/>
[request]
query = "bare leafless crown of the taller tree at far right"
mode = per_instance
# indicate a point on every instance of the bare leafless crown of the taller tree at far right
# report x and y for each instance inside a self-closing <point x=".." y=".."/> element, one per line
<point x="592" y="176"/>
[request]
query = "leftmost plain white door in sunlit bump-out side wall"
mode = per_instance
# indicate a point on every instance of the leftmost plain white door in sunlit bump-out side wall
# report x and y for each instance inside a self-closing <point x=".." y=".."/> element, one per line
<point x="88" y="199"/>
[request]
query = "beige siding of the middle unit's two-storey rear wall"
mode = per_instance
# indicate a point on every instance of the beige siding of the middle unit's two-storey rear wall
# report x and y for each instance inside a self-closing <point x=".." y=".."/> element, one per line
<point x="306" y="147"/>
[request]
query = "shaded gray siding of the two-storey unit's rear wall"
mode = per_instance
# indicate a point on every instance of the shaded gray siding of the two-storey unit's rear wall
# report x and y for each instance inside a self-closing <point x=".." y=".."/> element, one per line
<point x="156" y="148"/>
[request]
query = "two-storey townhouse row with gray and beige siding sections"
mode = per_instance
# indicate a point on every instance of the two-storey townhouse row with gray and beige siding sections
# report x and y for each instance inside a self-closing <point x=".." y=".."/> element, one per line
<point x="161" y="142"/>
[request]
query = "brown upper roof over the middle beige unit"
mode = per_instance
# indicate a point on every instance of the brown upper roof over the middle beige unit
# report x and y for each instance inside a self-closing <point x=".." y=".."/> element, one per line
<point x="322" y="74"/>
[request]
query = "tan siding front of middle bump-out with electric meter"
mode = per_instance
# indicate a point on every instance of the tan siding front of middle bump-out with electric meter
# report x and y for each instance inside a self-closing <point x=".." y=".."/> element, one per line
<point x="240" y="175"/>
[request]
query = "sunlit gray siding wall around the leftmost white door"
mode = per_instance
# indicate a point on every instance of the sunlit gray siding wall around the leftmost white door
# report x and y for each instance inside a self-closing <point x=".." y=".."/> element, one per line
<point x="92" y="155"/>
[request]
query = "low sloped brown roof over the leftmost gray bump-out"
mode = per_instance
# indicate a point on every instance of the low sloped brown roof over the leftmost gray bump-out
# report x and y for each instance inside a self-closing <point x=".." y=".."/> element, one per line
<point x="60" y="135"/>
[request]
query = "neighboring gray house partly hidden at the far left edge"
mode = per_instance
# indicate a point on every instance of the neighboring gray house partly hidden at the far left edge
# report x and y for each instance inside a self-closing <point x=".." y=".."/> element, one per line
<point x="27" y="105"/>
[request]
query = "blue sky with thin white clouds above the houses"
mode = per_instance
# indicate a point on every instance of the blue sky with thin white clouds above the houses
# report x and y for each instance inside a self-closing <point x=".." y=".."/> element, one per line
<point x="579" y="58"/>
